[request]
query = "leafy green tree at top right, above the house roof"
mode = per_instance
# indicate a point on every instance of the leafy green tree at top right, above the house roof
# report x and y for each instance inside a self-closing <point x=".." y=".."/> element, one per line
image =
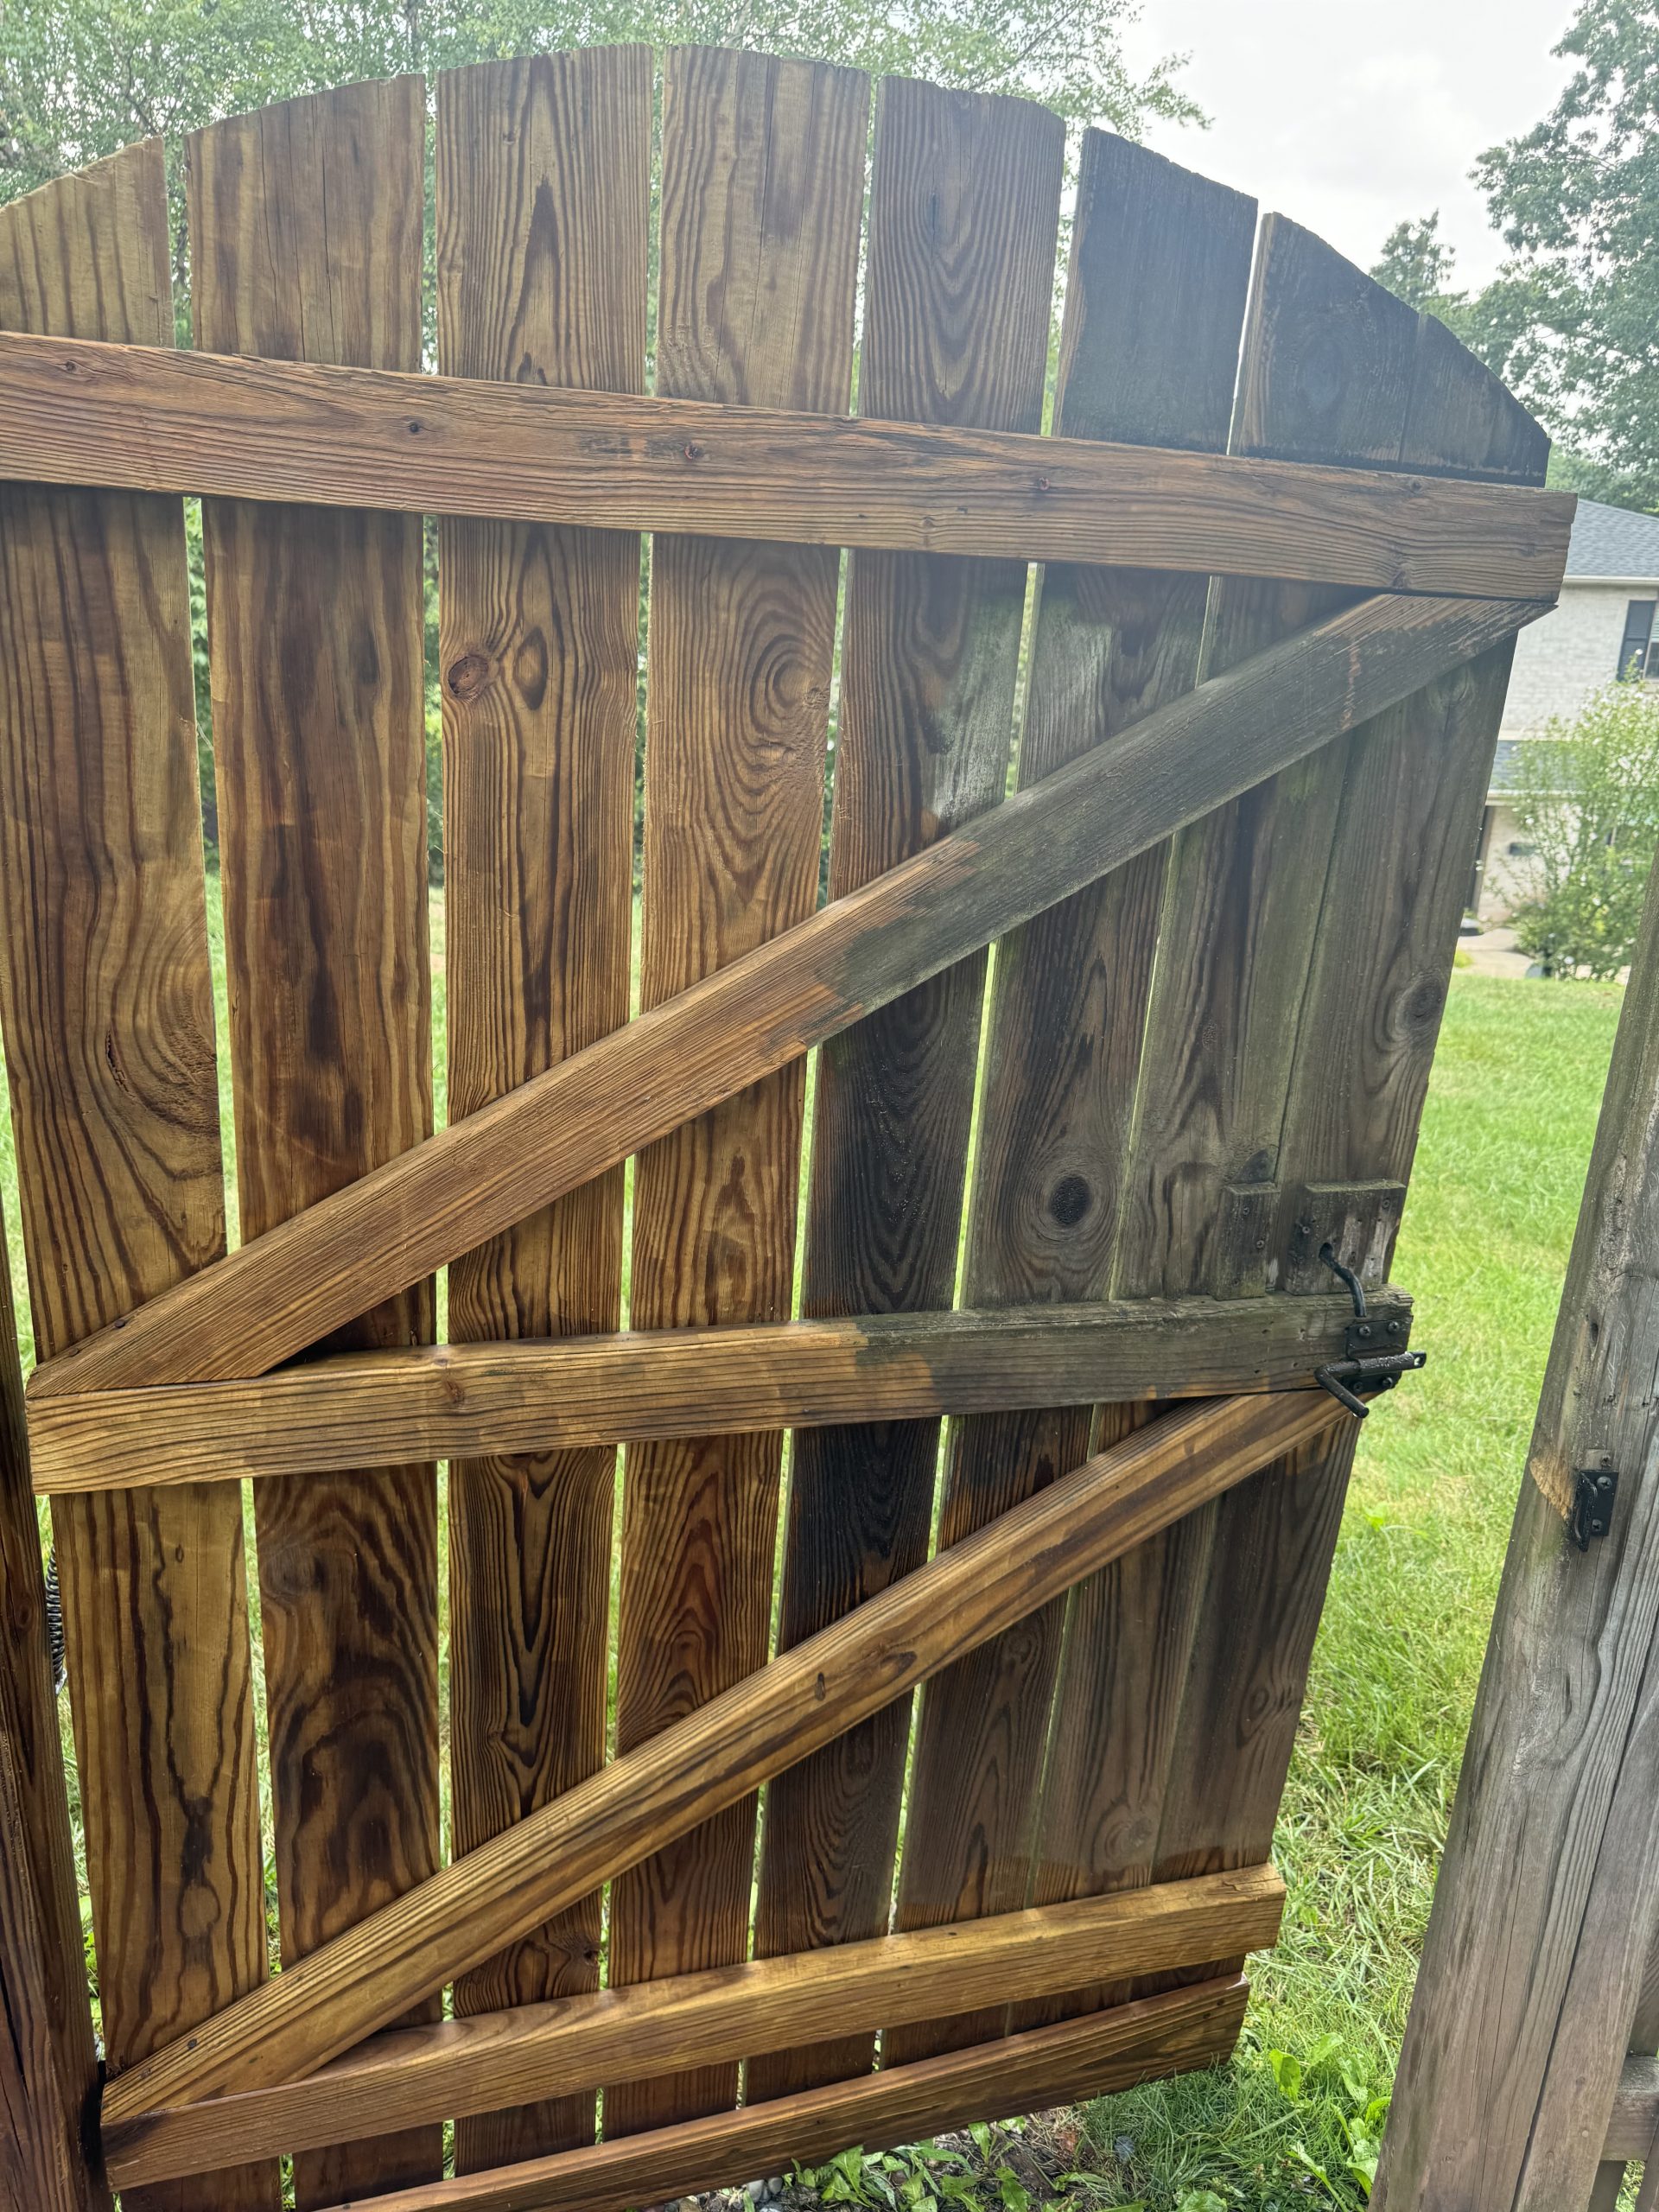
<point x="1572" y="322"/>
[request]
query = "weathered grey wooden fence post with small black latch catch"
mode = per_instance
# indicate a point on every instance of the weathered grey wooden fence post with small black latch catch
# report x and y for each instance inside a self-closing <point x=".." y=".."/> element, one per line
<point x="1550" y="1890"/>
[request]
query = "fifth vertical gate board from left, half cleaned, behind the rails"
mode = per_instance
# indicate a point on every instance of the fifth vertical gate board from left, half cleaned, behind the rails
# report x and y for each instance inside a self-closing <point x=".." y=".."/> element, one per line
<point x="963" y="218"/>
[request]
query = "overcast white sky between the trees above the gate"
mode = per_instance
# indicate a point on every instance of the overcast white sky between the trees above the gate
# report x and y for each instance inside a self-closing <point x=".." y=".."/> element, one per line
<point x="1355" y="116"/>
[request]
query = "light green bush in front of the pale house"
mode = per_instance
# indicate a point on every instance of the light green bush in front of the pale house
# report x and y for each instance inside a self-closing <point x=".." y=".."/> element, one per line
<point x="1587" y="804"/>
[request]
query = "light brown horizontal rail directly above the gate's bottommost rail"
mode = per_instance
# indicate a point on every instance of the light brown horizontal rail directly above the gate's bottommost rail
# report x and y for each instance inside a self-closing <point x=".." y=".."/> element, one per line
<point x="539" y="2049"/>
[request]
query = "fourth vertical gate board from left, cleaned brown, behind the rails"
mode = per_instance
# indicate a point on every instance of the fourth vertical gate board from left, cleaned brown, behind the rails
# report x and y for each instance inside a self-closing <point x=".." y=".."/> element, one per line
<point x="760" y="247"/>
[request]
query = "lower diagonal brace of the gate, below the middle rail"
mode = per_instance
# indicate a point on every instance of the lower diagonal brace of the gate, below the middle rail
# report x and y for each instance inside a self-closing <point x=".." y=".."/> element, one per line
<point x="733" y="1744"/>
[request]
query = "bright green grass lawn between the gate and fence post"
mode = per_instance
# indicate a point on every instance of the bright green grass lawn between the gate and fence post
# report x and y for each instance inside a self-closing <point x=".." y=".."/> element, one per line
<point x="1293" y="2120"/>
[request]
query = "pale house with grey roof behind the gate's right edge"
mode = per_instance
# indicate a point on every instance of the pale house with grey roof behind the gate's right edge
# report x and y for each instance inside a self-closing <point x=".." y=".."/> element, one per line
<point x="1603" y="629"/>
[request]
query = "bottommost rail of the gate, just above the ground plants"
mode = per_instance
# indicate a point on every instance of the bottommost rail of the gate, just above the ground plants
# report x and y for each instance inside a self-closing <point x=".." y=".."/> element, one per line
<point x="1019" y="2074"/>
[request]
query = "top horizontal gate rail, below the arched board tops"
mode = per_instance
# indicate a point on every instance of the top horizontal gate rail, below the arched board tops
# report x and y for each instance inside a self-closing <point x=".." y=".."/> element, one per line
<point x="81" y="413"/>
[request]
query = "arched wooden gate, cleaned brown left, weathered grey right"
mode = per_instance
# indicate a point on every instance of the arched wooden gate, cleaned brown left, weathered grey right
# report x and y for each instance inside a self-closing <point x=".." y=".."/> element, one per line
<point x="1286" y="532"/>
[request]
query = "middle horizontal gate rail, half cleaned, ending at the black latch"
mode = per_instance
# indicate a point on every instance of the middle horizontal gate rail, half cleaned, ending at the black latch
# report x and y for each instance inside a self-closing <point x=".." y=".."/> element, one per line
<point x="461" y="1401"/>
